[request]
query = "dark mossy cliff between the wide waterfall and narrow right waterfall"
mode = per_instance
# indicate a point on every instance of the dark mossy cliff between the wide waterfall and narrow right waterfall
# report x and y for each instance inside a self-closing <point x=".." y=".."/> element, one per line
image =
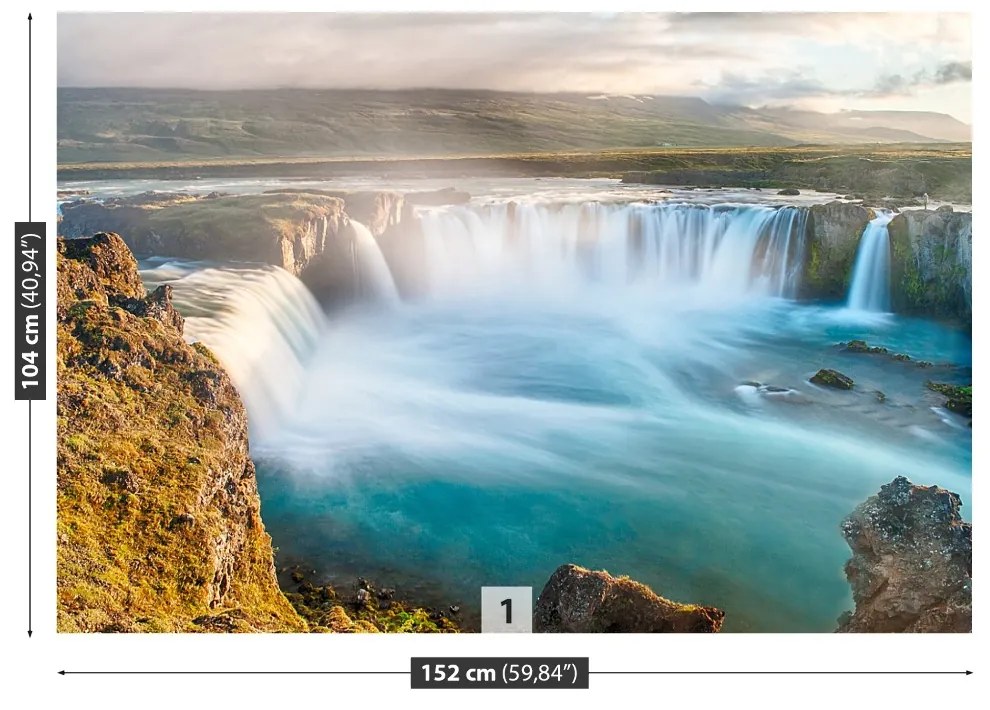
<point x="832" y="239"/>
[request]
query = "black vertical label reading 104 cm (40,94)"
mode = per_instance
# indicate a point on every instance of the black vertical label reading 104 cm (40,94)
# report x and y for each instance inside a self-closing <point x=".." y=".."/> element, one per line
<point x="29" y="310"/>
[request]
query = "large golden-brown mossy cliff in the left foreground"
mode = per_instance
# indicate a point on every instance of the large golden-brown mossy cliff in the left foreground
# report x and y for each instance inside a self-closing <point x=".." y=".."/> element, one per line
<point x="159" y="527"/>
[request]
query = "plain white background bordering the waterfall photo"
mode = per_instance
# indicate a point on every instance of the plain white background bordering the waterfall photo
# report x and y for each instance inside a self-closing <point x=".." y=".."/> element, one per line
<point x="30" y="666"/>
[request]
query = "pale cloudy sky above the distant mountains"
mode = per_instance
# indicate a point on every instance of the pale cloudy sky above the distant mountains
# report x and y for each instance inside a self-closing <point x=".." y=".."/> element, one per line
<point x="826" y="61"/>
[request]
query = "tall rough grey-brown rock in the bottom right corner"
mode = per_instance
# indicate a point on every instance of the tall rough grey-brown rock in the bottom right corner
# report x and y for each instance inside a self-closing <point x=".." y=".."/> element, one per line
<point x="911" y="568"/>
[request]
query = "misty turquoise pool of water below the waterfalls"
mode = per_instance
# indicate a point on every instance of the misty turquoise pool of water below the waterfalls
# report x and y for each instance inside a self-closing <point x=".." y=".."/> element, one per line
<point x="445" y="446"/>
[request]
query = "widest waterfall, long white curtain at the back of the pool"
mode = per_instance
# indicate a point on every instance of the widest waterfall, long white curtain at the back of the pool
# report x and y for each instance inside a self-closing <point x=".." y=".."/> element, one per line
<point x="727" y="249"/>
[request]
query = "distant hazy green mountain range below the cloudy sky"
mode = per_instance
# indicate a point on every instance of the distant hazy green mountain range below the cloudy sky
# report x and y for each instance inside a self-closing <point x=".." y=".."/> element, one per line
<point x="134" y="125"/>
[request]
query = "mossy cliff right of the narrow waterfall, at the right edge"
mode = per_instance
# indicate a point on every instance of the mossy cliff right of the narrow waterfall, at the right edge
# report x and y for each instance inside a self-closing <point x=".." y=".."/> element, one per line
<point x="931" y="268"/>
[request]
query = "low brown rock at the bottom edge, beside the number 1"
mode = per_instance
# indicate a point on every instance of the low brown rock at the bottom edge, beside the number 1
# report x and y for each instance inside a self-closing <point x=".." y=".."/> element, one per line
<point x="577" y="600"/>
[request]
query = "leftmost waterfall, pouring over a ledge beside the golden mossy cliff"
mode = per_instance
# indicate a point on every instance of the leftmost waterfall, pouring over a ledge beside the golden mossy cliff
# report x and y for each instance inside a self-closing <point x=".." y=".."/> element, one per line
<point x="261" y="322"/>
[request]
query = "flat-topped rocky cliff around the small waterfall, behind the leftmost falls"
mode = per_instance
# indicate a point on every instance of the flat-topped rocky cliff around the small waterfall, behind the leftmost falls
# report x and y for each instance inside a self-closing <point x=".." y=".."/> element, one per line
<point x="309" y="232"/>
